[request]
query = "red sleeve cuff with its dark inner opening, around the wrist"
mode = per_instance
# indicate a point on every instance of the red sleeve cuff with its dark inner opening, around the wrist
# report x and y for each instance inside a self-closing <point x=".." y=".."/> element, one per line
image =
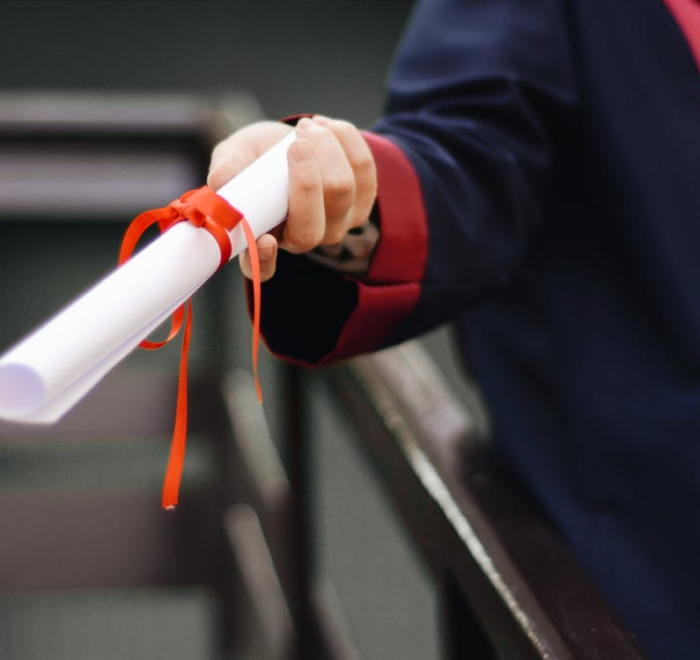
<point x="314" y="315"/>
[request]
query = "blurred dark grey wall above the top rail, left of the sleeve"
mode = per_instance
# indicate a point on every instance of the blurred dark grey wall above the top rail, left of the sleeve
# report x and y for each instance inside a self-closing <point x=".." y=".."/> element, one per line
<point x="323" y="56"/>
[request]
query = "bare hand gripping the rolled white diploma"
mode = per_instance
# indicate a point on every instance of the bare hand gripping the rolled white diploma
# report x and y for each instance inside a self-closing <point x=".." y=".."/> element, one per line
<point x="332" y="183"/>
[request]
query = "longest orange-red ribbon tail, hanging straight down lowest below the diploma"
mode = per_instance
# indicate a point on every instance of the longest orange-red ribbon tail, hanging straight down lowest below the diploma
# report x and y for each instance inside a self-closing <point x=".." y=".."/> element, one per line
<point x="176" y="460"/>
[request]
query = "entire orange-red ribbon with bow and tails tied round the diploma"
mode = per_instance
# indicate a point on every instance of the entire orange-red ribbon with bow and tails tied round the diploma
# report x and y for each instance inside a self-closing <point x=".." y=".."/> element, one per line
<point x="205" y="209"/>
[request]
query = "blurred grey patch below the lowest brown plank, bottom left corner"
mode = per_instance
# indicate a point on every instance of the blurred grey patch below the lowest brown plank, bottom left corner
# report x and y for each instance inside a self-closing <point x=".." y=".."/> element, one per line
<point x="138" y="624"/>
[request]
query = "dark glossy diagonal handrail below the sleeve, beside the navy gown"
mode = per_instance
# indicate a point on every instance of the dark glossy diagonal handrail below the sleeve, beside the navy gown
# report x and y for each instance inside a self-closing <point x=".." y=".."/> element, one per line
<point x="511" y="587"/>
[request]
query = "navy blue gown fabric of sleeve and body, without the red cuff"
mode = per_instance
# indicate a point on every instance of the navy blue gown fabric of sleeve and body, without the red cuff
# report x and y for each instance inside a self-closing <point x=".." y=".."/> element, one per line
<point x="558" y="147"/>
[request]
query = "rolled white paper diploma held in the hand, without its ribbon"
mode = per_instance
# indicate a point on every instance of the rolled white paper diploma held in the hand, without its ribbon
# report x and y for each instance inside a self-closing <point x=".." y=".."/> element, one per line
<point x="47" y="373"/>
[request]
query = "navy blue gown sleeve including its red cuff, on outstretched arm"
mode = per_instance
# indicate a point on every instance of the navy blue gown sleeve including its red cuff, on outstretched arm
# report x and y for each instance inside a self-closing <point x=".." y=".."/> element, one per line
<point x="478" y="92"/>
